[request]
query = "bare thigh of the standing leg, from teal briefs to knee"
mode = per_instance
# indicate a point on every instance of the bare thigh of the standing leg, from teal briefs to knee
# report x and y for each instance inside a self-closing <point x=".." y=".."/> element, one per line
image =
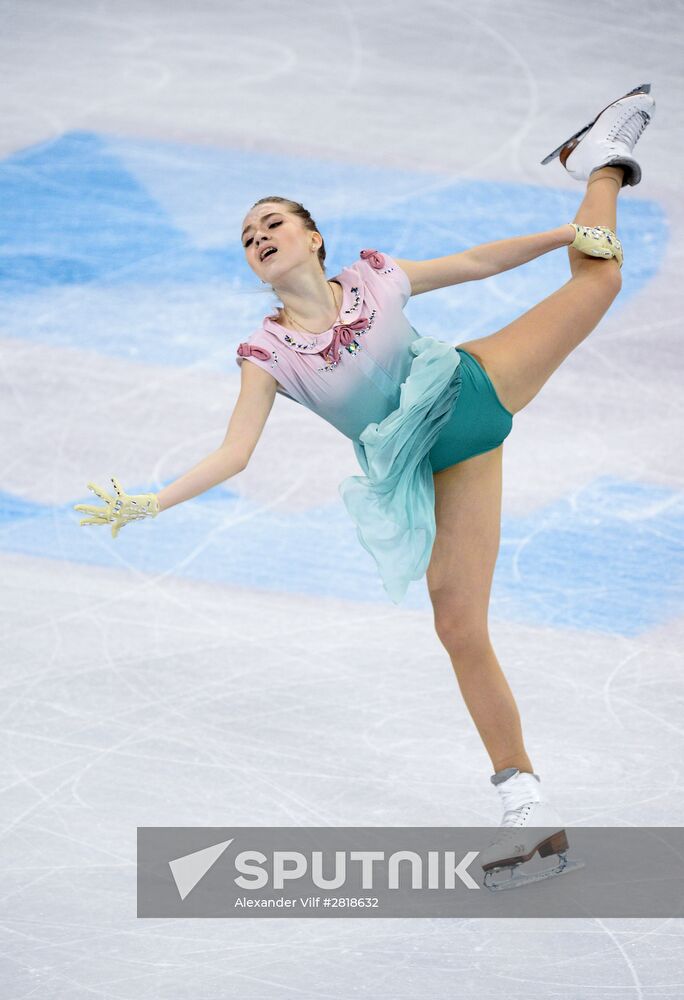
<point x="468" y="517"/>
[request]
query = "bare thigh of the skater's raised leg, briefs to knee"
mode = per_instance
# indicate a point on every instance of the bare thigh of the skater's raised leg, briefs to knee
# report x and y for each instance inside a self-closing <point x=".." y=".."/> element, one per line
<point x="520" y="357"/>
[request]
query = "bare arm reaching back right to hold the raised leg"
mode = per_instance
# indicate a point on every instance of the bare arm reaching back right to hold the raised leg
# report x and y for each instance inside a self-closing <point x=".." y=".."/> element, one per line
<point x="484" y="260"/>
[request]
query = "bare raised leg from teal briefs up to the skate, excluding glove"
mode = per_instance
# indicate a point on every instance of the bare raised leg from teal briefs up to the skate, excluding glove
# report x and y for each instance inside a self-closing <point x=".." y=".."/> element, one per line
<point x="522" y="356"/>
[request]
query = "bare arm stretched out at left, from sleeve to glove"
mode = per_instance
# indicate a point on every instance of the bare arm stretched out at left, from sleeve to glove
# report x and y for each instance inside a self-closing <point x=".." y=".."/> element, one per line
<point x="247" y="421"/>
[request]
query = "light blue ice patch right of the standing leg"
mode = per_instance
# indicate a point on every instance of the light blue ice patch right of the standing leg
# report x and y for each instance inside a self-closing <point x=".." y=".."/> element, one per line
<point x="609" y="559"/>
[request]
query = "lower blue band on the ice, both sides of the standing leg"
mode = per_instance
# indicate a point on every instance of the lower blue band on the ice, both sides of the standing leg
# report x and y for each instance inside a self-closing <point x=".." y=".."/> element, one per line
<point x="593" y="563"/>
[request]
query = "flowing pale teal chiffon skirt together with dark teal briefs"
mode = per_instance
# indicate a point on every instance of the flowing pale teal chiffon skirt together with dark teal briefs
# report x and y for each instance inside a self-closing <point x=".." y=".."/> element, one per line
<point x="448" y="411"/>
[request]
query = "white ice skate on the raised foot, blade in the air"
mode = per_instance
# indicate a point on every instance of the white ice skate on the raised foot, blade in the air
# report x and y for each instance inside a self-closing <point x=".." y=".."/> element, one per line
<point x="609" y="140"/>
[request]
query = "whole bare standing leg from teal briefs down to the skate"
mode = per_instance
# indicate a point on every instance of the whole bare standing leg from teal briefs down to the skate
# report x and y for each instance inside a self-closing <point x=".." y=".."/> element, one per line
<point x="459" y="578"/>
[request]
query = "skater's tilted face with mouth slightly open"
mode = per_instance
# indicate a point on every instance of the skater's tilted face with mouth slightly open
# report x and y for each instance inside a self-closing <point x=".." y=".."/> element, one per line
<point x="269" y="225"/>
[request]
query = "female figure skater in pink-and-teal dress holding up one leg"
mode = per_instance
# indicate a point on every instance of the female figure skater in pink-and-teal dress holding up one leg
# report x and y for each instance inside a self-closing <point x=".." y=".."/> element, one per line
<point x="427" y="420"/>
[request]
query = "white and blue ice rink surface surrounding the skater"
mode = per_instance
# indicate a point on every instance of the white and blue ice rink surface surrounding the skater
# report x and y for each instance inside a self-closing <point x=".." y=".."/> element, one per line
<point x="236" y="662"/>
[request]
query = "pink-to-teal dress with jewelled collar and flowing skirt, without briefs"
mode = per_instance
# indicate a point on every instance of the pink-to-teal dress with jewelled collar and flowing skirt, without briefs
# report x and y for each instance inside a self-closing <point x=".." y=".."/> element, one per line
<point x="387" y="389"/>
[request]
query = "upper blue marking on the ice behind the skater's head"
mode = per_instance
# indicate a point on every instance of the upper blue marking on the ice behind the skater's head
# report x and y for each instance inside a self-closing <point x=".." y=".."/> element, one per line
<point x="131" y="246"/>
